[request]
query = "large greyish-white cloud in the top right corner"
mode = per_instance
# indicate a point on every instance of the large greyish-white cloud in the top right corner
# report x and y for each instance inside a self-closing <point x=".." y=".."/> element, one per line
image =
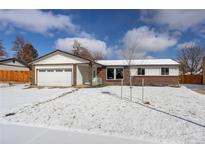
<point x="175" y="19"/>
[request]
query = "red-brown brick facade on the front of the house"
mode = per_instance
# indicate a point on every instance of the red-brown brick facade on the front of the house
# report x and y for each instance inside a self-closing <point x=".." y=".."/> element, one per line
<point x="137" y="80"/>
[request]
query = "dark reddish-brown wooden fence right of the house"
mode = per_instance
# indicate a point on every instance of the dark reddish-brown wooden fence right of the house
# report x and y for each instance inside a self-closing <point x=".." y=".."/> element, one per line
<point x="191" y="79"/>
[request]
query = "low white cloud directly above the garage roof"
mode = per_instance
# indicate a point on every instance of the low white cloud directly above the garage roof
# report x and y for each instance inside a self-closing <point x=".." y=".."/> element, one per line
<point x="90" y="43"/>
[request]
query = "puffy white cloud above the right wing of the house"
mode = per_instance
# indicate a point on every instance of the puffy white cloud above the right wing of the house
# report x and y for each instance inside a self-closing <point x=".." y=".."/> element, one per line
<point x="145" y="40"/>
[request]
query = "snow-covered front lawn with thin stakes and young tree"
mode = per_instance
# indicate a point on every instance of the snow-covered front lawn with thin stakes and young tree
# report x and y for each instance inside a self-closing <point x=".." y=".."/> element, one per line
<point x="175" y="115"/>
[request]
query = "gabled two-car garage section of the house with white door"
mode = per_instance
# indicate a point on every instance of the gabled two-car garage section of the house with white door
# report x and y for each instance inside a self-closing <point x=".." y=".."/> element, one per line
<point x="60" y="69"/>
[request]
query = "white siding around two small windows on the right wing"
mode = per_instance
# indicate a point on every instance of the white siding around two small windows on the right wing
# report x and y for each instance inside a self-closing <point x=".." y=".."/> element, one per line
<point x="155" y="70"/>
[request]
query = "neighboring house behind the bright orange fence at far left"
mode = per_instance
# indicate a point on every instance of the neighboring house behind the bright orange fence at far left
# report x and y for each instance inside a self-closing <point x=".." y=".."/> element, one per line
<point x="12" y="64"/>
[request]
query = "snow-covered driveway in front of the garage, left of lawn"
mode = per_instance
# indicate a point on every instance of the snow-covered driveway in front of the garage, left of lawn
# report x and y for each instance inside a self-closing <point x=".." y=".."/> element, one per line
<point x="18" y="95"/>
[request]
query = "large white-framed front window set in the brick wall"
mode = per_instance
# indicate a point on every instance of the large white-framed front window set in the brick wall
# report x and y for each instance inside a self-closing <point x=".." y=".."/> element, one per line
<point x="115" y="73"/>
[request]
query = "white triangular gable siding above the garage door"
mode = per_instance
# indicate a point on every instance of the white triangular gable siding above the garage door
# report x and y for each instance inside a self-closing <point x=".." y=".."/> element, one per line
<point x="60" y="58"/>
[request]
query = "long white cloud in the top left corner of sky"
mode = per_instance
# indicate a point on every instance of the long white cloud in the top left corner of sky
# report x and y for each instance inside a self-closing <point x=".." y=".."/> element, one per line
<point x="36" y="21"/>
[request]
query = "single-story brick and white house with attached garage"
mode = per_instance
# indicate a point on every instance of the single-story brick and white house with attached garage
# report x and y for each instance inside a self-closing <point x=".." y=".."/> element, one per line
<point x="60" y="68"/>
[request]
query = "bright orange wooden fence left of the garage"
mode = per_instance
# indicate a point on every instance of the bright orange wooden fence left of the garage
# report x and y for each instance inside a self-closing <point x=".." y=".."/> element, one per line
<point x="15" y="76"/>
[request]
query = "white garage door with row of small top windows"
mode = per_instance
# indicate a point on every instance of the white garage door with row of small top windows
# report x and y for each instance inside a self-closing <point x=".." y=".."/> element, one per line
<point x="54" y="77"/>
